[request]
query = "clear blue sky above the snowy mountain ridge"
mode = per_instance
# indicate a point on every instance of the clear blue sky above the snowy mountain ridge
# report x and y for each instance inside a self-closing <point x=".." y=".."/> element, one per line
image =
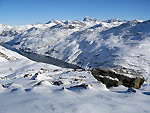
<point x="20" y="12"/>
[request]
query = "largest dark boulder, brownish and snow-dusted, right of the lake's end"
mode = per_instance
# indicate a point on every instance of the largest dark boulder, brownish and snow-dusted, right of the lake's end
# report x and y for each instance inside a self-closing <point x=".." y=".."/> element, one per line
<point x="113" y="77"/>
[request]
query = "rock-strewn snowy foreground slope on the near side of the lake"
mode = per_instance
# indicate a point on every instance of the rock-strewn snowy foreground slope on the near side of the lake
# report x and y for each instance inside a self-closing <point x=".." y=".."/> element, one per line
<point x="31" y="87"/>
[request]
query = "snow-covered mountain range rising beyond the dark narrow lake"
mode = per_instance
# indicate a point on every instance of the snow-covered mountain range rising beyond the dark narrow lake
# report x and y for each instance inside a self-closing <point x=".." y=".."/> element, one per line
<point x="90" y="43"/>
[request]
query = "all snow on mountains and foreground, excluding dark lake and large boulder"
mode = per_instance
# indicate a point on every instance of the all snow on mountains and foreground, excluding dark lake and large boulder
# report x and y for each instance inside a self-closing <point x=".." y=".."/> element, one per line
<point x="27" y="86"/>
